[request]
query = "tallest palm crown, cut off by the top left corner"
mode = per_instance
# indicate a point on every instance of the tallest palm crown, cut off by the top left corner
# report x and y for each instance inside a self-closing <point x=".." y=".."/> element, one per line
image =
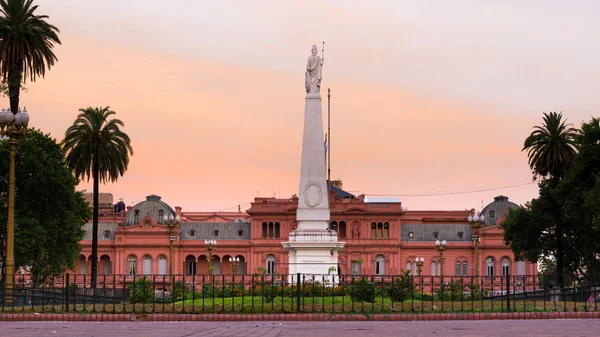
<point x="26" y="42"/>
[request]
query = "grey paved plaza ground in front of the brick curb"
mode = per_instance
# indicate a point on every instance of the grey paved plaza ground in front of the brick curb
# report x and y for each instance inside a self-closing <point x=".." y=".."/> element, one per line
<point x="510" y="328"/>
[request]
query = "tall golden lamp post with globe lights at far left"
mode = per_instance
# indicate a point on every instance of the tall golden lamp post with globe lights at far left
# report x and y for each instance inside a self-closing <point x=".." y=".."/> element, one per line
<point x="12" y="126"/>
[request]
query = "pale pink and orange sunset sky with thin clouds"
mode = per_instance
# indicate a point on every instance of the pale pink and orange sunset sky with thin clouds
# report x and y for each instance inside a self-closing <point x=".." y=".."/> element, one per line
<point x="429" y="99"/>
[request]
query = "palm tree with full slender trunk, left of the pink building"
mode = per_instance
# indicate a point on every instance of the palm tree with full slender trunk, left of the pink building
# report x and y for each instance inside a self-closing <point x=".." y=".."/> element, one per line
<point x="95" y="146"/>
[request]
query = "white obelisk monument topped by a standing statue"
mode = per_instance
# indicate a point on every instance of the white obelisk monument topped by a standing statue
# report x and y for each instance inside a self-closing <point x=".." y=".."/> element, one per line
<point x="313" y="247"/>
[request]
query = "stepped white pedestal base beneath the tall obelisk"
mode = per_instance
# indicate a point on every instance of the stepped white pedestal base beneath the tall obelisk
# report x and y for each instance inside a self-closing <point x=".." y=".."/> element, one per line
<point x="313" y="251"/>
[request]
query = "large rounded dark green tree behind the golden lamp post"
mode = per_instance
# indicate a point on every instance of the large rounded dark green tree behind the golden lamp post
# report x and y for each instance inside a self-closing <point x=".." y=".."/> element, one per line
<point x="49" y="213"/>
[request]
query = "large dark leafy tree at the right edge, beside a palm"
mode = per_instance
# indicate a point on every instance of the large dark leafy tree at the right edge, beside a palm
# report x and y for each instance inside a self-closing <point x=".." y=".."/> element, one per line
<point x="574" y="203"/>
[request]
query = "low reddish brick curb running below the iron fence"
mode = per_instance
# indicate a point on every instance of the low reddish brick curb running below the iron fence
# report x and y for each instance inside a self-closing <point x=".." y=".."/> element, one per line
<point x="73" y="317"/>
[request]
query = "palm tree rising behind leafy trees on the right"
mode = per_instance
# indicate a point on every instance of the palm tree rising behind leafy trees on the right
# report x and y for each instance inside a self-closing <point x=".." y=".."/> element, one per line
<point x="551" y="149"/>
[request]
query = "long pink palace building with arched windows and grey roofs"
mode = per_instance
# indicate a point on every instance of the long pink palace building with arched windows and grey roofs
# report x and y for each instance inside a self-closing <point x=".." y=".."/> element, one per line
<point x="382" y="238"/>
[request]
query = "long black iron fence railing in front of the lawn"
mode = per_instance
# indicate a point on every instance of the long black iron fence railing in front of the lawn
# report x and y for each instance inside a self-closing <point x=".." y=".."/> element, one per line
<point x="299" y="293"/>
